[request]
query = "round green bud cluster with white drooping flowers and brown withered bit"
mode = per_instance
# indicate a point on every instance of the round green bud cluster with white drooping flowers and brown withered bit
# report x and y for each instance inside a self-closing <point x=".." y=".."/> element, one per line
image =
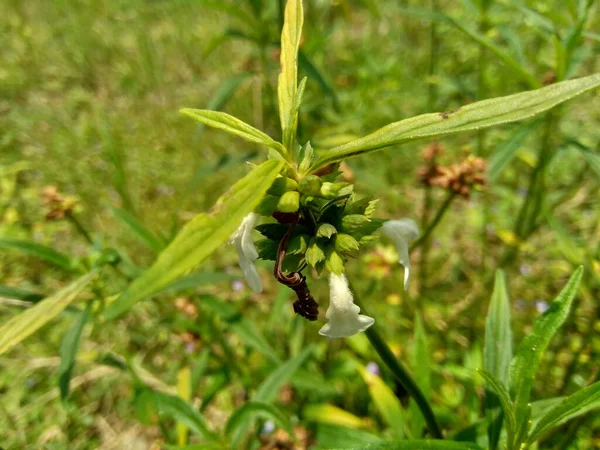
<point x="316" y="221"/>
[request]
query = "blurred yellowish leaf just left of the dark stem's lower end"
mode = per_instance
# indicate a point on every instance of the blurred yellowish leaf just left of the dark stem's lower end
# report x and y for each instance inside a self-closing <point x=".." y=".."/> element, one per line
<point x="386" y="402"/>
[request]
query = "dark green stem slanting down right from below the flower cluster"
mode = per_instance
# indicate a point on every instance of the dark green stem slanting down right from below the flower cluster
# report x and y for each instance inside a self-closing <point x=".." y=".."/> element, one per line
<point x="405" y="379"/>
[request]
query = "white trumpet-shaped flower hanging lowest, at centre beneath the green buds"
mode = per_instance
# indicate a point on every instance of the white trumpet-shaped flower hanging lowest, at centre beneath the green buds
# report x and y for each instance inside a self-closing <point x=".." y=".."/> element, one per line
<point x="342" y="314"/>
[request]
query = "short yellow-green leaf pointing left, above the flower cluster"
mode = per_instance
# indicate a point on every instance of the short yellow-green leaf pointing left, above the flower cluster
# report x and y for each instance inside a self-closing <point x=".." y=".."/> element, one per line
<point x="233" y="125"/>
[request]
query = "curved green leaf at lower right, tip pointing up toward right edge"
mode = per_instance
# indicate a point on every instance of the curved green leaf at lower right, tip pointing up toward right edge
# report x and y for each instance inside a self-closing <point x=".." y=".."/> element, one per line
<point x="529" y="354"/>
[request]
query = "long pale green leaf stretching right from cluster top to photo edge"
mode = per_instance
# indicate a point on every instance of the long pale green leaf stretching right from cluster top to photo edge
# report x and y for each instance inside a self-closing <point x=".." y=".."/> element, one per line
<point x="475" y="116"/>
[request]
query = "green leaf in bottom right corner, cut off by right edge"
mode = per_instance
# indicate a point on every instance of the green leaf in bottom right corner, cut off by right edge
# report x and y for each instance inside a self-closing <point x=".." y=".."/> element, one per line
<point x="575" y="405"/>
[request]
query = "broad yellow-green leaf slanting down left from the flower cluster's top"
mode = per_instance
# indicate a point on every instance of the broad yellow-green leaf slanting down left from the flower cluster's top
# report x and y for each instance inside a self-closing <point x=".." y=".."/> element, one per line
<point x="199" y="238"/>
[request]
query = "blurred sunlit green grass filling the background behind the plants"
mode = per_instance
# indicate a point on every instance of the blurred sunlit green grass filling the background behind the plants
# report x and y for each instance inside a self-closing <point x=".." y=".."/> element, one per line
<point x="89" y="94"/>
